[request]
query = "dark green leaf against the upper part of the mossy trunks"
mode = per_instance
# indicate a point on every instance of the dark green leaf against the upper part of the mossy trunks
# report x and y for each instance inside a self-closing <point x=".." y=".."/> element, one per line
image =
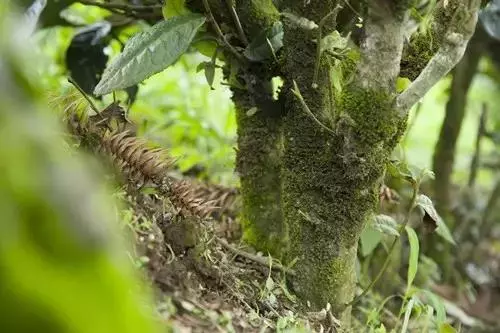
<point x="266" y="43"/>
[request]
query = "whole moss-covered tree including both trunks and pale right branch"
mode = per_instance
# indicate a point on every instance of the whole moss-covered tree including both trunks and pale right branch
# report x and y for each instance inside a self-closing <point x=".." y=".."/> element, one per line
<point x="321" y="186"/>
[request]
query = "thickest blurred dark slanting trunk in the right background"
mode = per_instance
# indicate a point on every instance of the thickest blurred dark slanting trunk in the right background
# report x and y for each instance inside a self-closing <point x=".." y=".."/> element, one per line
<point x="444" y="152"/>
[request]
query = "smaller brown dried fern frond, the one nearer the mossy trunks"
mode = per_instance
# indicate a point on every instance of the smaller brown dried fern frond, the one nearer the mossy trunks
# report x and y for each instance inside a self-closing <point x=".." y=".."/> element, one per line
<point x="184" y="196"/>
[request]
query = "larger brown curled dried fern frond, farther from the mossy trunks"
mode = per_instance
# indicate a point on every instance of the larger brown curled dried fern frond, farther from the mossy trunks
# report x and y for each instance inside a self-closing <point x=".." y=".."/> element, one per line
<point x="132" y="156"/>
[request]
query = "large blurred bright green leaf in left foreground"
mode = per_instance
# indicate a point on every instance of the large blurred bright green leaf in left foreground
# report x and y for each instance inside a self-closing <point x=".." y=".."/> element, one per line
<point x="63" y="267"/>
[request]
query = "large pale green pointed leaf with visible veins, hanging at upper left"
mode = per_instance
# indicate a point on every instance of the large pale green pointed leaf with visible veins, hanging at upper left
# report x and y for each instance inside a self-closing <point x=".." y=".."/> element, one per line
<point x="150" y="52"/>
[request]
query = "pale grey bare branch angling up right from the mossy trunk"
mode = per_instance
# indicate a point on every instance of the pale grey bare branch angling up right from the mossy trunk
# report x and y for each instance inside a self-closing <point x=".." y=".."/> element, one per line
<point x="449" y="54"/>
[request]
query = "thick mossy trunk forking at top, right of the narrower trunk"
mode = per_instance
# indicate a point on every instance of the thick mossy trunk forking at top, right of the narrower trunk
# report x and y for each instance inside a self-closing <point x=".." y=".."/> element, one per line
<point x="331" y="177"/>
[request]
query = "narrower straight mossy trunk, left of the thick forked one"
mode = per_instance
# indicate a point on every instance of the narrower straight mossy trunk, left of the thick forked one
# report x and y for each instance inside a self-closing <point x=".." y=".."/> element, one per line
<point x="258" y="164"/>
